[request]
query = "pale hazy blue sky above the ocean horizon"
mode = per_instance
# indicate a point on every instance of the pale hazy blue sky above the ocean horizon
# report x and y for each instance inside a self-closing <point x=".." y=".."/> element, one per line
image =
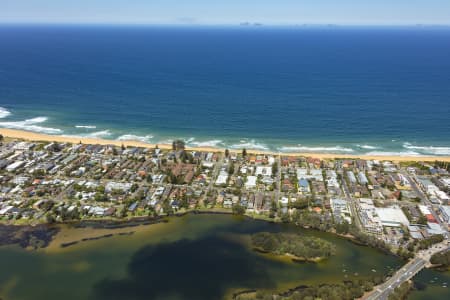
<point x="383" y="12"/>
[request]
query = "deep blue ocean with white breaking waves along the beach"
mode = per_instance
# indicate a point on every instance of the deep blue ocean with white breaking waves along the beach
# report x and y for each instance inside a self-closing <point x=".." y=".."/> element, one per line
<point x="373" y="90"/>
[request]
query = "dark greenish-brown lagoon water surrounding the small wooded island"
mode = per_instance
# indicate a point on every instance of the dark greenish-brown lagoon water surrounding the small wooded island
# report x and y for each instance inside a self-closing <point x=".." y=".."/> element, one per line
<point x="190" y="257"/>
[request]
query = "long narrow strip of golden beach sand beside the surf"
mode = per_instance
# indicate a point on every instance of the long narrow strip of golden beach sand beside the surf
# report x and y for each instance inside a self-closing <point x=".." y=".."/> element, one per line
<point x="33" y="136"/>
